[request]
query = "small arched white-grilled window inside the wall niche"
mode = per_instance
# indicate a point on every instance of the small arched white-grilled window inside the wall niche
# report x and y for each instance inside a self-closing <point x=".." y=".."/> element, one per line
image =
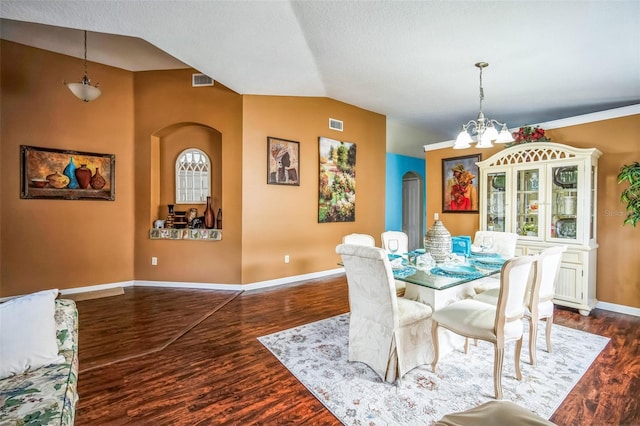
<point x="193" y="176"/>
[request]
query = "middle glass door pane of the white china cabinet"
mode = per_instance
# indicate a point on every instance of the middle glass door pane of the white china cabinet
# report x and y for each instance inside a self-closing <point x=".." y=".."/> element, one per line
<point x="527" y="203"/>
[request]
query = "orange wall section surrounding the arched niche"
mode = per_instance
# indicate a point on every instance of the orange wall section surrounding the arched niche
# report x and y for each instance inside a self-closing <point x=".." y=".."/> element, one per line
<point x="169" y="116"/>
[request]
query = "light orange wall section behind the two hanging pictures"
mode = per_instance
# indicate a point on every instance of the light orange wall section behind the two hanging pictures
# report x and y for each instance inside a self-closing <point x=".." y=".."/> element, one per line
<point x="281" y="220"/>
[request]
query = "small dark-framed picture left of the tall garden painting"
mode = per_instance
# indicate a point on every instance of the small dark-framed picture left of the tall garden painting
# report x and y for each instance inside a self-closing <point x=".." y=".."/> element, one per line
<point x="283" y="162"/>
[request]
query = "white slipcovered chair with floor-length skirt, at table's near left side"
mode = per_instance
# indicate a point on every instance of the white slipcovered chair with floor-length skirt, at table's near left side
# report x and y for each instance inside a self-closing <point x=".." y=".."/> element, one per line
<point x="388" y="333"/>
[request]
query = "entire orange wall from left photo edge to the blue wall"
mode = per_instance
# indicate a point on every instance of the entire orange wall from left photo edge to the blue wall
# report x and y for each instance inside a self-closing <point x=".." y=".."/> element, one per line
<point x="144" y="119"/>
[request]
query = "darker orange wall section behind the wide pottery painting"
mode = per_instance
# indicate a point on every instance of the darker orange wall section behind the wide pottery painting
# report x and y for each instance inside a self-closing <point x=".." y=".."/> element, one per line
<point x="61" y="243"/>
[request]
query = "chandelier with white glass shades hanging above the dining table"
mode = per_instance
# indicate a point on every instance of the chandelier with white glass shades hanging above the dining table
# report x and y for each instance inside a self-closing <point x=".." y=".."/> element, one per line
<point x="484" y="128"/>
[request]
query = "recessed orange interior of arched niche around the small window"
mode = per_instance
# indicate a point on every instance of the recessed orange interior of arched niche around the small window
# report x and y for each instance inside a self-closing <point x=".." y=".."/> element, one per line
<point x="166" y="145"/>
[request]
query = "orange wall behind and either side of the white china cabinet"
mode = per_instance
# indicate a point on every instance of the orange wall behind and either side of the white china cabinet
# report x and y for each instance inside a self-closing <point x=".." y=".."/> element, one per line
<point x="618" y="273"/>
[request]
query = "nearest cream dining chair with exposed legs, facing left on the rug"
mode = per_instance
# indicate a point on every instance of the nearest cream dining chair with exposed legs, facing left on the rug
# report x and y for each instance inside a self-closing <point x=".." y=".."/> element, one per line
<point x="497" y="324"/>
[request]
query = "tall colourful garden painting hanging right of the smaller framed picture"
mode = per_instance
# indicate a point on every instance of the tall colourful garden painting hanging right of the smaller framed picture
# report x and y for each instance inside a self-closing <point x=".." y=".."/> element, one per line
<point x="337" y="186"/>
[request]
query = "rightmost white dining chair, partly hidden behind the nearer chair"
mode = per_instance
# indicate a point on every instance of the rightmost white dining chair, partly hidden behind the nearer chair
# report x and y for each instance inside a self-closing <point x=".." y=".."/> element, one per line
<point x="540" y="296"/>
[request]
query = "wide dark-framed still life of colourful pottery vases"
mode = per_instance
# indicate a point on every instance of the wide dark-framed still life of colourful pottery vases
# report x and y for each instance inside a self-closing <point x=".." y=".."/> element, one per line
<point x="67" y="175"/>
